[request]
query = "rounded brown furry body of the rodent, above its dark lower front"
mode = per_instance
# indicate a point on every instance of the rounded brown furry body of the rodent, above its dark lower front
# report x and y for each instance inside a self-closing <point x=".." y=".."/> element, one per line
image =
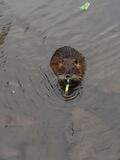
<point x="67" y="60"/>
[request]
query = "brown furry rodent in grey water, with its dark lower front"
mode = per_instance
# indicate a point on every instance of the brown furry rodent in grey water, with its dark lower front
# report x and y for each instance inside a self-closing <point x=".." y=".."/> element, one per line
<point x="69" y="67"/>
